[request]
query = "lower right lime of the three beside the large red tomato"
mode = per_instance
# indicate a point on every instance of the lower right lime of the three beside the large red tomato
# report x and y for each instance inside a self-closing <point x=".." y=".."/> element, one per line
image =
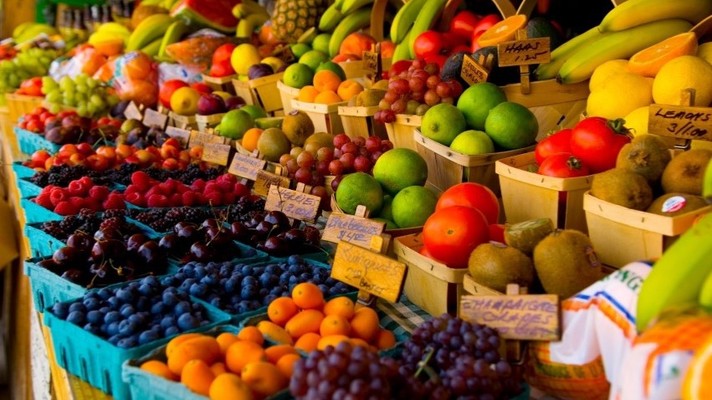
<point x="412" y="206"/>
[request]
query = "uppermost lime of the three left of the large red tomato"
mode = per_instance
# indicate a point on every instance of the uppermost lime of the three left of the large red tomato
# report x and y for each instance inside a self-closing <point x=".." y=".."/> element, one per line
<point x="399" y="168"/>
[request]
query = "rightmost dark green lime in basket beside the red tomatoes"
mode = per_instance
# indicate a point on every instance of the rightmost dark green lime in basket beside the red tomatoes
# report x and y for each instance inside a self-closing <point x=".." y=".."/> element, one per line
<point x="511" y="126"/>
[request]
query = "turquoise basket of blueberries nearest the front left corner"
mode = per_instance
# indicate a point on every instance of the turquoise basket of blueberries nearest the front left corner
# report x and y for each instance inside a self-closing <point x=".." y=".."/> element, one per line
<point x="98" y="362"/>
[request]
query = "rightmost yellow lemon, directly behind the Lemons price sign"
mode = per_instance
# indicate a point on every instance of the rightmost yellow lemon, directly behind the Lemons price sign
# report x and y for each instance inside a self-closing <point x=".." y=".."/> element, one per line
<point x="682" y="73"/>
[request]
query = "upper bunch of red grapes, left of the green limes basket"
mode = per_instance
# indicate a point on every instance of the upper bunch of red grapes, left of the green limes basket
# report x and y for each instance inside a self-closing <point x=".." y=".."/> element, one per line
<point x="416" y="90"/>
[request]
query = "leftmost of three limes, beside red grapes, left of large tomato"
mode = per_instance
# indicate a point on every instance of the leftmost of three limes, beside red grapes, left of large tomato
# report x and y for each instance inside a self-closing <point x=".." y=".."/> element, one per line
<point x="359" y="188"/>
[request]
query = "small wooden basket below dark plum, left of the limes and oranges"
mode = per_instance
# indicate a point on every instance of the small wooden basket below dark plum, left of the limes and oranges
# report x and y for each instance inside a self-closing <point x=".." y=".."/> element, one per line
<point x="264" y="93"/>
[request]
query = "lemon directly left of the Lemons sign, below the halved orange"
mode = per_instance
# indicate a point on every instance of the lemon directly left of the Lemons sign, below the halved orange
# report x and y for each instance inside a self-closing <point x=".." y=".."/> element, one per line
<point x="619" y="95"/>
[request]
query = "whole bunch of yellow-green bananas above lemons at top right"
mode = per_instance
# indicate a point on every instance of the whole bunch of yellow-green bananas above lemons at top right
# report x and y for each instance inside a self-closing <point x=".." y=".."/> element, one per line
<point x="625" y="30"/>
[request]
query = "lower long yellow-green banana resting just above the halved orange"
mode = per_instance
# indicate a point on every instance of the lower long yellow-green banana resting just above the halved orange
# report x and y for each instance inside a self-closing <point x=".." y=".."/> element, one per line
<point x="623" y="44"/>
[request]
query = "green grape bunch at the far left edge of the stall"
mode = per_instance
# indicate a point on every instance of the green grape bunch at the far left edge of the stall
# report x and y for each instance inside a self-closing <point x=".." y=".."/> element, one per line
<point x="26" y="64"/>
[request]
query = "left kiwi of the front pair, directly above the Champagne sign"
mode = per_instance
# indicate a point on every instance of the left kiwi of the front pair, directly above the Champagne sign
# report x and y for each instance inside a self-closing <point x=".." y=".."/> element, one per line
<point x="496" y="265"/>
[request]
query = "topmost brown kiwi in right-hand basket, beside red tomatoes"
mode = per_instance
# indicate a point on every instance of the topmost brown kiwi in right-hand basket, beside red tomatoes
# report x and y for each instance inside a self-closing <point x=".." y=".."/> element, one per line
<point x="646" y="155"/>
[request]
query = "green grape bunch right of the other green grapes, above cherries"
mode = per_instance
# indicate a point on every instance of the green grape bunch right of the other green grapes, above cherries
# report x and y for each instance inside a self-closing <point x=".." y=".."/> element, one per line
<point x="91" y="97"/>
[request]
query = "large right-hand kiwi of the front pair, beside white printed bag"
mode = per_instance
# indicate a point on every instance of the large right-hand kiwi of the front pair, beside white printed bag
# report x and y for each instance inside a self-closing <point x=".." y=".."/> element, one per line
<point x="566" y="263"/>
